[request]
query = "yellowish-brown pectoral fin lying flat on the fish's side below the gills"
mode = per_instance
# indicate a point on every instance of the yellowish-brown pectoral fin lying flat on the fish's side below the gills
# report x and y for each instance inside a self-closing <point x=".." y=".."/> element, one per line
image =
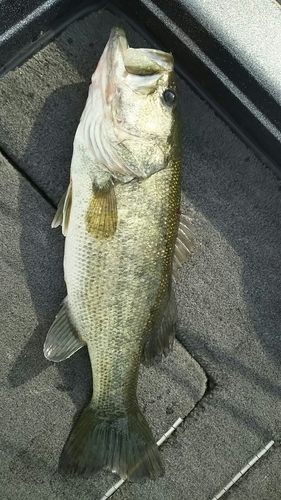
<point x="101" y="216"/>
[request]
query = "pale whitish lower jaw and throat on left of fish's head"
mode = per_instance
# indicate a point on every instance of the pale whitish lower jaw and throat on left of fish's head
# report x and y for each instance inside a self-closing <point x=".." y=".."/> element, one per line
<point x="95" y="136"/>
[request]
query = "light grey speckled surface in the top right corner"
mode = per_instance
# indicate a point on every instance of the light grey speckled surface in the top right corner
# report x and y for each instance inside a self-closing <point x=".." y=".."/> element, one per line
<point x="250" y="31"/>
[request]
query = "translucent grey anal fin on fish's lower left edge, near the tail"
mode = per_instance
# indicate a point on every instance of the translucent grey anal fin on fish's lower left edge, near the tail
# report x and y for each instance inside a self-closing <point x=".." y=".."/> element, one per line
<point x="62" y="340"/>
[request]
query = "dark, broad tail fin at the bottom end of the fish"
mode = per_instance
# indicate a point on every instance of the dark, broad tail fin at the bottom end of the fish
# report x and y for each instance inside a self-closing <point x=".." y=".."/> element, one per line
<point x="123" y="443"/>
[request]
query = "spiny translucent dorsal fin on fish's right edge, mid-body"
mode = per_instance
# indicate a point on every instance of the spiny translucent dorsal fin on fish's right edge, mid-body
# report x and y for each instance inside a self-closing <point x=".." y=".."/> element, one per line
<point x="184" y="243"/>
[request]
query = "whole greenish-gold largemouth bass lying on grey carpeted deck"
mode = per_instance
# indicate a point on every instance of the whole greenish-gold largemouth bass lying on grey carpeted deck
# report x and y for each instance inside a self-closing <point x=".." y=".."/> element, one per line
<point x="125" y="239"/>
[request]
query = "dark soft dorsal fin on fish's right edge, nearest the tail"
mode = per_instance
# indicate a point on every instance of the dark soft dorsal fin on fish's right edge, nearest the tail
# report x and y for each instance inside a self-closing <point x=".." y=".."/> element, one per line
<point x="162" y="338"/>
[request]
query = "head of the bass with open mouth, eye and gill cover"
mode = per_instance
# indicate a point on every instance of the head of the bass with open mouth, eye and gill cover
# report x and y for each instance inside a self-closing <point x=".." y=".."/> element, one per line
<point x="130" y="117"/>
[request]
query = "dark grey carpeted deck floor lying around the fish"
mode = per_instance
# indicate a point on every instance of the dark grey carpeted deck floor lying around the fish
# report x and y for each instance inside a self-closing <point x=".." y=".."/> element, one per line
<point x="228" y="296"/>
